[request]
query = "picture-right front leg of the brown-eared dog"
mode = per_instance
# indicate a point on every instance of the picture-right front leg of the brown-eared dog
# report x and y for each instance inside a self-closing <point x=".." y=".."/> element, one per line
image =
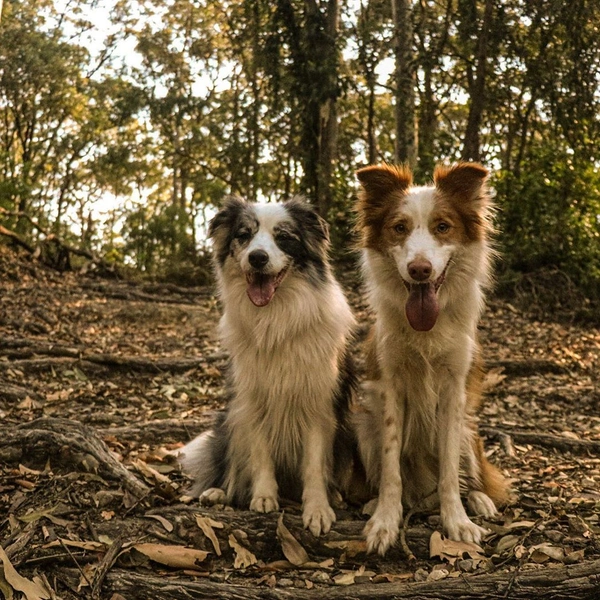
<point x="451" y="411"/>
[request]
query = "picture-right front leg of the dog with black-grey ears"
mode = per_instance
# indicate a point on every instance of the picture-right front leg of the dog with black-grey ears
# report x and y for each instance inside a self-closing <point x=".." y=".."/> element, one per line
<point x="317" y="514"/>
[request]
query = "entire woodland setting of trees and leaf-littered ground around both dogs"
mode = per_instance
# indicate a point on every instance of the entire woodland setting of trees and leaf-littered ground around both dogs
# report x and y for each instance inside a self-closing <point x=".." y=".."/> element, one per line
<point x="124" y="124"/>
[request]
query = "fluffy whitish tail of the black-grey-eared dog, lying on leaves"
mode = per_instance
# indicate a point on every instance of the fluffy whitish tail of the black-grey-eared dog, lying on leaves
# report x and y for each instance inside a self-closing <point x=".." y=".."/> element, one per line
<point x="205" y="458"/>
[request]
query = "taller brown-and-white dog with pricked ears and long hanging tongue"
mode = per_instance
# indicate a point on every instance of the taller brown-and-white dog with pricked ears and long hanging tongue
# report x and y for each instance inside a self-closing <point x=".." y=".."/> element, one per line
<point x="427" y="262"/>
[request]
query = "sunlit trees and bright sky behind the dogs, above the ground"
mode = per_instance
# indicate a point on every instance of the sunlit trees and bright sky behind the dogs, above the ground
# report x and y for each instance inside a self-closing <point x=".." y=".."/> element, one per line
<point x="124" y="124"/>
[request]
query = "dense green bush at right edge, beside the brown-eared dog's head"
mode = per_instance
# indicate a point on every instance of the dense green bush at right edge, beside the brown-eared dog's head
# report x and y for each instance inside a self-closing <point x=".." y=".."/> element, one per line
<point x="550" y="216"/>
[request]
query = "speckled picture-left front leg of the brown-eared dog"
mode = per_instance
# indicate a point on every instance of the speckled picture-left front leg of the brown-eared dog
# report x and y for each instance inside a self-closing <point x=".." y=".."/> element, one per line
<point x="382" y="528"/>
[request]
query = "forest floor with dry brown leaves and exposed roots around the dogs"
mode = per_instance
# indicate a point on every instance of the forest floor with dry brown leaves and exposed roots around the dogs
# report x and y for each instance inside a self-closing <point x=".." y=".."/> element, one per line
<point x="102" y="380"/>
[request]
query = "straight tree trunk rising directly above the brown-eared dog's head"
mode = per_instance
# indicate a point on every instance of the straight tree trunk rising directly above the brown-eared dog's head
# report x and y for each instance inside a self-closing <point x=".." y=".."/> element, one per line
<point x="406" y="144"/>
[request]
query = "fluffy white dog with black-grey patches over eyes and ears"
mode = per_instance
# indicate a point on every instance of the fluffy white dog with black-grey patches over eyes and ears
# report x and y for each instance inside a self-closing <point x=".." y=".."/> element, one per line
<point x="286" y="325"/>
